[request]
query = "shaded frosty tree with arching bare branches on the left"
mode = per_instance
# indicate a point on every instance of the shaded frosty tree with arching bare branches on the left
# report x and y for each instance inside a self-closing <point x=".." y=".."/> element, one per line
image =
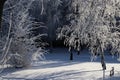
<point x="19" y="49"/>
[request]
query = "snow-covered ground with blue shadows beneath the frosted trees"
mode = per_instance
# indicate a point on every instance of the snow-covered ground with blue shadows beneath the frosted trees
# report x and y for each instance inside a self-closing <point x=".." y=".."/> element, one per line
<point x="57" y="66"/>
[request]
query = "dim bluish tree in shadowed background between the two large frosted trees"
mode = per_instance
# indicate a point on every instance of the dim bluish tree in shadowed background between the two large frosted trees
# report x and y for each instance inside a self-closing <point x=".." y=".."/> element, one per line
<point x="53" y="15"/>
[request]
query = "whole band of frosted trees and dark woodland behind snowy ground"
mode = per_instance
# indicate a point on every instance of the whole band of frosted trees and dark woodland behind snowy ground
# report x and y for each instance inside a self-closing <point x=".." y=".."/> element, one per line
<point x="30" y="23"/>
